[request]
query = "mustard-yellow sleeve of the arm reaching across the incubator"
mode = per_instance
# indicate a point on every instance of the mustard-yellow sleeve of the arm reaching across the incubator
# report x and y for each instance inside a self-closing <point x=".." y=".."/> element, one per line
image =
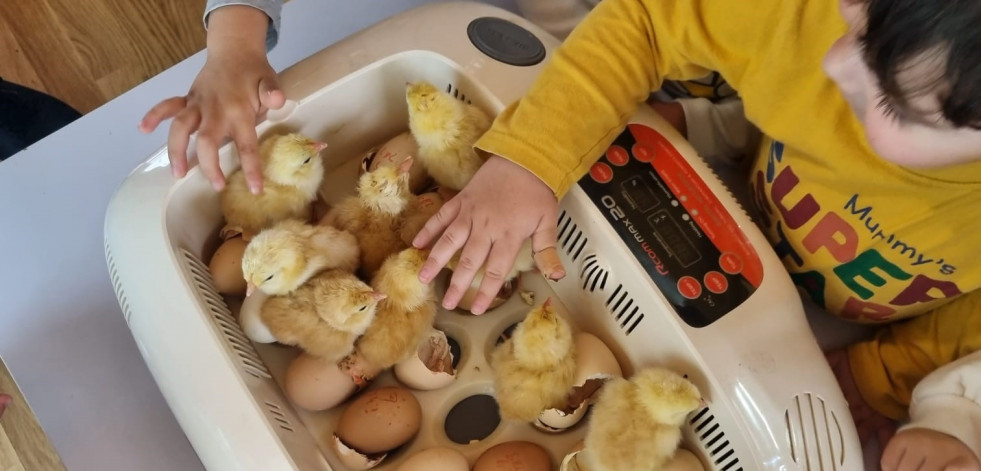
<point x="621" y="52"/>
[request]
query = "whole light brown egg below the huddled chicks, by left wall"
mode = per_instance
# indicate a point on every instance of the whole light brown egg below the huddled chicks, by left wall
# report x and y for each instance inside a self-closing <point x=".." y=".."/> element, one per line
<point x="316" y="384"/>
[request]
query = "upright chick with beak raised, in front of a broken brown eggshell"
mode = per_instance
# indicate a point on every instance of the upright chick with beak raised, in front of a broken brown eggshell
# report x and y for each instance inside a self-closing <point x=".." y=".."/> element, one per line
<point x="534" y="369"/>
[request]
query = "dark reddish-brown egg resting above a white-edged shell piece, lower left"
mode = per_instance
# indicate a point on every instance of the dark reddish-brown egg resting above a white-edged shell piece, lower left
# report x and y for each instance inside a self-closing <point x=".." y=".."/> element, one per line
<point x="380" y="420"/>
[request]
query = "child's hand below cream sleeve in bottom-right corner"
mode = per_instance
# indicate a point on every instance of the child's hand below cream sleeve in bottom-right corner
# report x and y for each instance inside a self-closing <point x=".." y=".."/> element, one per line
<point x="920" y="449"/>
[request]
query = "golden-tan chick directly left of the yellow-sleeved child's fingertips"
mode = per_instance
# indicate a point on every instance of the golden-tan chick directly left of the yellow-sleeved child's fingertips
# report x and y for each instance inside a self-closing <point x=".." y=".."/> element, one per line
<point x="405" y="316"/>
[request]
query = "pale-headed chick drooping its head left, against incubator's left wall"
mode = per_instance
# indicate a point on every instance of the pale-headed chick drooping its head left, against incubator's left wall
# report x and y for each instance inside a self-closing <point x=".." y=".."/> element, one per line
<point x="286" y="255"/>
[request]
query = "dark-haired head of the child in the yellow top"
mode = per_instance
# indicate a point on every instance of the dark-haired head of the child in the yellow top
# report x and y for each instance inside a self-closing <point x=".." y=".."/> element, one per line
<point x="911" y="70"/>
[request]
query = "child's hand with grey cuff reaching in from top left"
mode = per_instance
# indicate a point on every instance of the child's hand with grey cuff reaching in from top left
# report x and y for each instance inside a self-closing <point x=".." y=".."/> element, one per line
<point x="235" y="85"/>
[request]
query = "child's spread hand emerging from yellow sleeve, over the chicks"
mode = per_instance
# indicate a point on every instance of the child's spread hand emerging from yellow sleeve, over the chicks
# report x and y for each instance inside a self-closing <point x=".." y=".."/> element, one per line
<point x="489" y="219"/>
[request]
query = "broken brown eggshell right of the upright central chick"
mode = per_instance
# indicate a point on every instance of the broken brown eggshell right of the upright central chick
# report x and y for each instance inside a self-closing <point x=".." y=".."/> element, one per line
<point x="595" y="363"/>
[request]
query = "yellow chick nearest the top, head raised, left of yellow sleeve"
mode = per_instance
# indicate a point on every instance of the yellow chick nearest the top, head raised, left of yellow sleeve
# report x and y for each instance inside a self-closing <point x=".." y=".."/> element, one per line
<point x="446" y="129"/>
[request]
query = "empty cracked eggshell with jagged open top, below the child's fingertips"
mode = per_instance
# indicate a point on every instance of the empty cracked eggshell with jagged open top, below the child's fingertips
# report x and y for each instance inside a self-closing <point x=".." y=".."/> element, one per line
<point x="432" y="365"/>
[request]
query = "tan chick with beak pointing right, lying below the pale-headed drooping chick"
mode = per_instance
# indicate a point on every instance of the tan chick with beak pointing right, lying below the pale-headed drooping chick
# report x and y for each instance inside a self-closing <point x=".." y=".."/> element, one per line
<point x="324" y="316"/>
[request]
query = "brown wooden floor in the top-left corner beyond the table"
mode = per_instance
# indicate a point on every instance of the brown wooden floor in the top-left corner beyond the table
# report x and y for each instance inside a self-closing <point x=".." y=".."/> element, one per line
<point x="88" y="52"/>
